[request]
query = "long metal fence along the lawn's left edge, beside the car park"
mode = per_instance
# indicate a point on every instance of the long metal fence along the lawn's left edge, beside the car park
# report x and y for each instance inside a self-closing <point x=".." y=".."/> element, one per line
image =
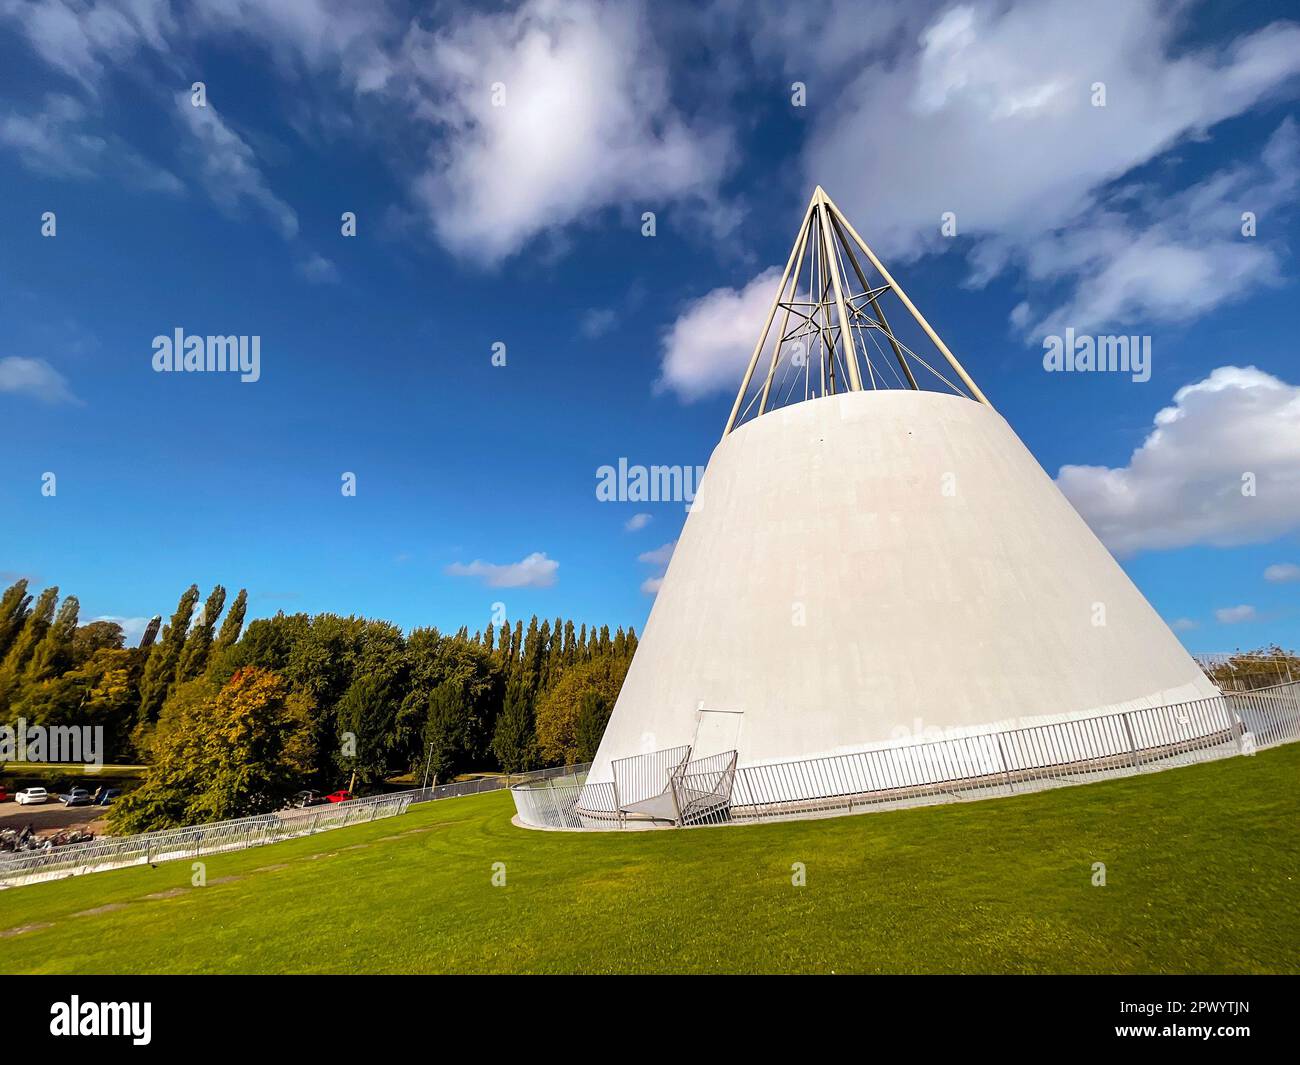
<point x="114" y="852"/>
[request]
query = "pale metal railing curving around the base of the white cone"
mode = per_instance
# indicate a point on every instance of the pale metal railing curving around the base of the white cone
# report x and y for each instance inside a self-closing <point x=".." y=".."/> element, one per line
<point x="998" y="764"/>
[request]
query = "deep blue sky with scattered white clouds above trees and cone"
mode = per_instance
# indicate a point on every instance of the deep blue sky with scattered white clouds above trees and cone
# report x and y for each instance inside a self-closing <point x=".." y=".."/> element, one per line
<point x="523" y="224"/>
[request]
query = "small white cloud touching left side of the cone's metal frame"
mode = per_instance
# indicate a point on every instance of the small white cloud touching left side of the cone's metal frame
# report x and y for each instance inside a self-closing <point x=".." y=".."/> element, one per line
<point x="709" y="347"/>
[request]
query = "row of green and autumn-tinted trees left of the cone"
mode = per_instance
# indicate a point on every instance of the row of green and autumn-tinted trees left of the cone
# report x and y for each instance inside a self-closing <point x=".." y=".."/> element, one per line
<point x="233" y="718"/>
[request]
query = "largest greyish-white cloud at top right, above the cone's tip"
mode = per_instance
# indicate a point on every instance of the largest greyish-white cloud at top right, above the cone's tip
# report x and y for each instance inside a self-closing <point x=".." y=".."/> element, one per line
<point x="991" y="116"/>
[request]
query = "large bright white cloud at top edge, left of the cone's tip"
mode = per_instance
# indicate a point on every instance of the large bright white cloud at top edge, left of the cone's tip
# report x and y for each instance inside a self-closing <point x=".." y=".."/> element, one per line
<point x="587" y="124"/>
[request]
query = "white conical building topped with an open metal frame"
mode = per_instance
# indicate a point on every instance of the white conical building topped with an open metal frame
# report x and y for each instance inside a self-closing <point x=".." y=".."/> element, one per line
<point x="872" y="566"/>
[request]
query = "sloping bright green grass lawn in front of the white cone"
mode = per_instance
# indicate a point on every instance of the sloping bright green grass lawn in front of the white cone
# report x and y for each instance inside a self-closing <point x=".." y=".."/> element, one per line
<point x="1202" y="868"/>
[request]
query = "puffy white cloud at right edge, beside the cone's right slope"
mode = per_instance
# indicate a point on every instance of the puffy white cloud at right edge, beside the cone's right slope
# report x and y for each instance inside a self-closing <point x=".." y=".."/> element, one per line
<point x="1220" y="467"/>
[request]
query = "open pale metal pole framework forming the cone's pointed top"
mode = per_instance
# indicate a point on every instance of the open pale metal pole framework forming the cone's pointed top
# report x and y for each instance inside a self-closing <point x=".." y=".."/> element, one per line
<point x="834" y="331"/>
